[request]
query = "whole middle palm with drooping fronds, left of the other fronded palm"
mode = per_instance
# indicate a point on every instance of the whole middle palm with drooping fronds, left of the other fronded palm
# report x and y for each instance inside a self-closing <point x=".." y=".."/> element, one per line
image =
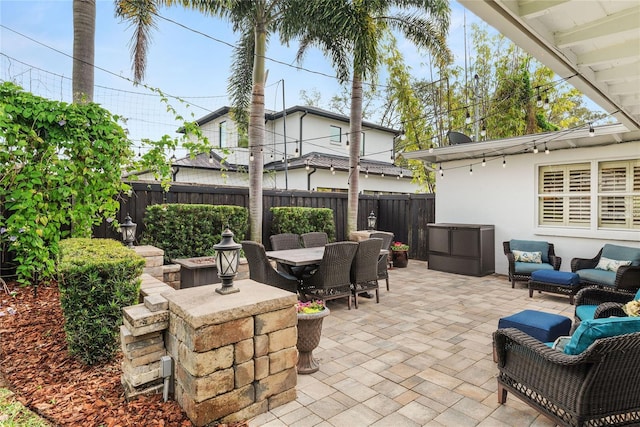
<point x="255" y="20"/>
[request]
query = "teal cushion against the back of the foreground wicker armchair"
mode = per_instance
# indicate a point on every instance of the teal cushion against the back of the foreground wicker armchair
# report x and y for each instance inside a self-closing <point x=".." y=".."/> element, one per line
<point x="592" y="329"/>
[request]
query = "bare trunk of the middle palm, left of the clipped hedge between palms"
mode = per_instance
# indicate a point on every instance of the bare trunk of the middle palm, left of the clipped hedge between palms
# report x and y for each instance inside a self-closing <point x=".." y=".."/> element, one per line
<point x="256" y="135"/>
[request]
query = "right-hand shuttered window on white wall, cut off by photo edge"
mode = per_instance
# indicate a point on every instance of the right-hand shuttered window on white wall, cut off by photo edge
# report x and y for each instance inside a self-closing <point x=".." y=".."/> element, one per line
<point x="619" y="194"/>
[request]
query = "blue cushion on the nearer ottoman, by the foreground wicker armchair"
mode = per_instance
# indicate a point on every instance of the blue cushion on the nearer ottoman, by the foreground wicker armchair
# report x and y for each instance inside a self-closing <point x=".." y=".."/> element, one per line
<point x="545" y="327"/>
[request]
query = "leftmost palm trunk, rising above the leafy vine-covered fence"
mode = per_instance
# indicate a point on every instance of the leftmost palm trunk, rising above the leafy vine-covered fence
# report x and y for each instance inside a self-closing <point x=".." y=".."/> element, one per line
<point x="84" y="31"/>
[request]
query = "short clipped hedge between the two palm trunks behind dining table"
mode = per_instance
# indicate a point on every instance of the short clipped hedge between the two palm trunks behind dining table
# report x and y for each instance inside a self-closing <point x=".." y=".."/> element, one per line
<point x="303" y="220"/>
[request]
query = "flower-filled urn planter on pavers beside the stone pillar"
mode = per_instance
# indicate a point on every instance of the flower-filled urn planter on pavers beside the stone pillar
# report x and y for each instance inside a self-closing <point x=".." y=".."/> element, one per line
<point x="310" y="316"/>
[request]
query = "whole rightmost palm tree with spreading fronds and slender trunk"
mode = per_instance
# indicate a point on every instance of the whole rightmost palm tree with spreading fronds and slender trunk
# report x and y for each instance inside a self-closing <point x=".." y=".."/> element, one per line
<point x="352" y="35"/>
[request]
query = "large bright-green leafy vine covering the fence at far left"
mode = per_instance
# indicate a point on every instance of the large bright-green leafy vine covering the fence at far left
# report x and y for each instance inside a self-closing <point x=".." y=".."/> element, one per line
<point x="60" y="174"/>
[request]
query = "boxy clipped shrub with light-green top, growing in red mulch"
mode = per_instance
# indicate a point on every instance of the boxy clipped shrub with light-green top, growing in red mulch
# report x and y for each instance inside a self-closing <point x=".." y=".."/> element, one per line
<point x="98" y="277"/>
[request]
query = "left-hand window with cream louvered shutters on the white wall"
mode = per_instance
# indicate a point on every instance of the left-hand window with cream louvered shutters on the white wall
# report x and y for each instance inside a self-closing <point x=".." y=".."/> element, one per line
<point x="564" y="195"/>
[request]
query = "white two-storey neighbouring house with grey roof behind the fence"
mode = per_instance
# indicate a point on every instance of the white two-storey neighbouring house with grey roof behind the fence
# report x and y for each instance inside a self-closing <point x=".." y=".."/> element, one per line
<point x="316" y="153"/>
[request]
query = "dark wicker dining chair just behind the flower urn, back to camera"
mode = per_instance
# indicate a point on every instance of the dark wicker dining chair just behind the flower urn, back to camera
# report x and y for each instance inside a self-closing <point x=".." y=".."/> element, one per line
<point x="332" y="279"/>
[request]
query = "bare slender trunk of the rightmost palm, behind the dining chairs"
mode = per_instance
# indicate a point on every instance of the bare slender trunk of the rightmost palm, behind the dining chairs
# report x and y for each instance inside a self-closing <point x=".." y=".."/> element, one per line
<point x="355" y="136"/>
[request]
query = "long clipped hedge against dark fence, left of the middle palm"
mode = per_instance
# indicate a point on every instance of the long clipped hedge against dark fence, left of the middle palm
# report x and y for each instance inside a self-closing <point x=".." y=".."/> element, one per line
<point x="186" y="231"/>
